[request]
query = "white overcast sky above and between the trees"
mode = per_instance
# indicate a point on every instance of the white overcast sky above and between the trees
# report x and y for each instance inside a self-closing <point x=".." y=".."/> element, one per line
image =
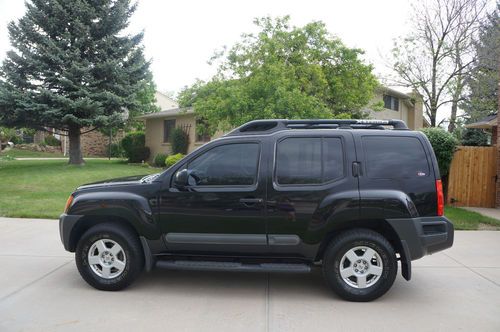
<point x="181" y="36"/>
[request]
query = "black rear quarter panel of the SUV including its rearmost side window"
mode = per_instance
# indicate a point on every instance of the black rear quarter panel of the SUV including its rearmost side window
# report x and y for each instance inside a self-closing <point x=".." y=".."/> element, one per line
<point x="397" y="175"/>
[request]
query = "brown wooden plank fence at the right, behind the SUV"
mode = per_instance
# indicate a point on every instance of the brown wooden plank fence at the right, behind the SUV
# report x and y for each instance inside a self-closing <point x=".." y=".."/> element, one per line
<point x="472" y="177"/>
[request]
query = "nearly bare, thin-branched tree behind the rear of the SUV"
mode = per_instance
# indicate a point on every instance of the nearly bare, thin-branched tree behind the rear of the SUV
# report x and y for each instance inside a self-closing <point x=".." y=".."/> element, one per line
<point x="436" y="56"/>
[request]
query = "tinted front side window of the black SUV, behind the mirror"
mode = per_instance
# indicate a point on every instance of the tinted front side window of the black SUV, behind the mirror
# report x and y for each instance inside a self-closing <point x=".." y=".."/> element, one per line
<point x="234" y="164"/>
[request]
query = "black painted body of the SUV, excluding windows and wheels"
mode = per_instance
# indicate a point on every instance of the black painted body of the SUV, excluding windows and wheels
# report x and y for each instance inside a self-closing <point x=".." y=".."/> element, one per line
<point x="283" y="222"/>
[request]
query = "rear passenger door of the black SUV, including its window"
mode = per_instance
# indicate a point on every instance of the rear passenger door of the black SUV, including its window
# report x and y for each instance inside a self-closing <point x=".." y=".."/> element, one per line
<point x="311" y="182"/>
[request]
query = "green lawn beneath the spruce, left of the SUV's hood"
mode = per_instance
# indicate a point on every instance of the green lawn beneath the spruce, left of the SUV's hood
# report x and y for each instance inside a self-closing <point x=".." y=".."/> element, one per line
<point x="39" y="188"/>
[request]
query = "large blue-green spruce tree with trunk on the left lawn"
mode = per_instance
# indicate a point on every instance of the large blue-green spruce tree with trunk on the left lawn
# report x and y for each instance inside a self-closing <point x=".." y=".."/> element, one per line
<point x="72" y="67"/>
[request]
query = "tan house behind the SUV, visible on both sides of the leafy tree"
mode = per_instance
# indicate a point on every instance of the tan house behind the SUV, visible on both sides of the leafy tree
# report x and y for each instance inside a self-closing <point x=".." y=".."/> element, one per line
<point x="397" y="105"/>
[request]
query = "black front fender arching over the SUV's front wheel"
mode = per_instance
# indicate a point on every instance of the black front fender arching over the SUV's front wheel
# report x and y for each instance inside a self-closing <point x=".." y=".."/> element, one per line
<point x="133" y="208"/>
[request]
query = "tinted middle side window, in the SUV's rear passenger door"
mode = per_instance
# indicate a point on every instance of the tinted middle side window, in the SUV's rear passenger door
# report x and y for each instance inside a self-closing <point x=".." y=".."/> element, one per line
<point x="309" y="160"/>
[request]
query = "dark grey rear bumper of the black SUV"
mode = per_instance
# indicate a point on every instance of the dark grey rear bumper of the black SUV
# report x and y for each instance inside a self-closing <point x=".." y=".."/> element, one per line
<point x="423" y="236"/>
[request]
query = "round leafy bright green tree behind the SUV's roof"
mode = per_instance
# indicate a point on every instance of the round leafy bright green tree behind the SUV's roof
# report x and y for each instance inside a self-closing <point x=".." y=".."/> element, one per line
<point x="283" y="71"/>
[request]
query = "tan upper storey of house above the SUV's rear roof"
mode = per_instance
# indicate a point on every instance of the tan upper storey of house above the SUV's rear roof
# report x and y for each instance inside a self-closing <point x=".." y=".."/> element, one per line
<point x="401" y="106"/>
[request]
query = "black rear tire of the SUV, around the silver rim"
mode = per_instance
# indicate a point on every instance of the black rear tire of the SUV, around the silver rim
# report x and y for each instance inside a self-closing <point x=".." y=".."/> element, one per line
<point x="341" y="245"/>
